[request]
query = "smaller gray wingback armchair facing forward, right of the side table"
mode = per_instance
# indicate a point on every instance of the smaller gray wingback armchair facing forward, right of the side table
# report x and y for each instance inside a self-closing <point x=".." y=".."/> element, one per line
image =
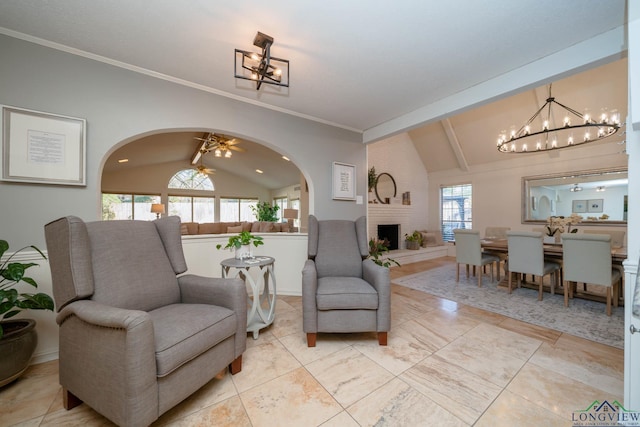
<point x="342" y="291"/>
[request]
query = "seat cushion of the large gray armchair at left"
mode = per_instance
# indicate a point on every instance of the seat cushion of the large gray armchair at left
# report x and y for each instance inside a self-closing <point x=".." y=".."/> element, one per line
<point x="184" y="331"/>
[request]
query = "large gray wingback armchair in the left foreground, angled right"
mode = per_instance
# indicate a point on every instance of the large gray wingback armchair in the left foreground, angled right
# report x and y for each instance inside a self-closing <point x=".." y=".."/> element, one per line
<point x="135" y="338"/>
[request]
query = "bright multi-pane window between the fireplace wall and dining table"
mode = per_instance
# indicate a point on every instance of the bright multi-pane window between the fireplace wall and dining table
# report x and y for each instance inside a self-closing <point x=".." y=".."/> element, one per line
<point x="455" y="209"/>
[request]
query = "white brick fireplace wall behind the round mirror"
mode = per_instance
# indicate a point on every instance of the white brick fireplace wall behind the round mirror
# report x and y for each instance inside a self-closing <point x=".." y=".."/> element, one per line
<point x="398" y="157"/>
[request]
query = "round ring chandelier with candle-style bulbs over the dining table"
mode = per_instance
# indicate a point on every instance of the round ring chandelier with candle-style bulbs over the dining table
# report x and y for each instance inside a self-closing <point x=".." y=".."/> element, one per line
<point x="576" y="129"/>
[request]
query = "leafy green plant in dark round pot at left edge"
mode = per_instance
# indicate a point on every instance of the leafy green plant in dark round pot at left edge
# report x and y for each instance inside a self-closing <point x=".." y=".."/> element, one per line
<point x="18" y="338"/>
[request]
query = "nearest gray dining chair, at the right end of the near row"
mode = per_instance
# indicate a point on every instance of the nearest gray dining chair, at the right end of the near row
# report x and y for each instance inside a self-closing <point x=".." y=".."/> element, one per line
<point x="587" y="259"/>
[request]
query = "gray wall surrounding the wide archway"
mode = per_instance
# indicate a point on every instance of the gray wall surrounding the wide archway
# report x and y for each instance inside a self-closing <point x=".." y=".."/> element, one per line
<point x="120" y="105"/>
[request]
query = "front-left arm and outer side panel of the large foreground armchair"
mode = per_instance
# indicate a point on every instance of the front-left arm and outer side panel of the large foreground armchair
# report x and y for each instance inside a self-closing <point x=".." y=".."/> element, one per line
<point x="107" y="359"/>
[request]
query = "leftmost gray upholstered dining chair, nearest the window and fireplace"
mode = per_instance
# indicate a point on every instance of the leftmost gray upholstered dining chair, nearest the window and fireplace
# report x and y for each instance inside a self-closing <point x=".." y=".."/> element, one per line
<point x="469" y="252"/>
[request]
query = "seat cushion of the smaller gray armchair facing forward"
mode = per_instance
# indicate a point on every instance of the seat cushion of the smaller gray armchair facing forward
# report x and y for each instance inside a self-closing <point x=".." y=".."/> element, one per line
<point x="345" y="293"/>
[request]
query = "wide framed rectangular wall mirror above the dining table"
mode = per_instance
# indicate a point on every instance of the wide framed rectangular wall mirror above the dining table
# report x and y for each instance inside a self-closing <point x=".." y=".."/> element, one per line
<point x="599" y="196"/>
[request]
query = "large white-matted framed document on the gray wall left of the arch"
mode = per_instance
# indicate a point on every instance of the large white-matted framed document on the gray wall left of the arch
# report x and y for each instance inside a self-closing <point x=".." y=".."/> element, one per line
<point x="42" y="148"/>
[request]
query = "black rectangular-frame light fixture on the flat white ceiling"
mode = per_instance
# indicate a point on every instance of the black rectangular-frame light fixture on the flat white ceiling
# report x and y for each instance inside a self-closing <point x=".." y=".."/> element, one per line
<point x="261" y="67"/>
